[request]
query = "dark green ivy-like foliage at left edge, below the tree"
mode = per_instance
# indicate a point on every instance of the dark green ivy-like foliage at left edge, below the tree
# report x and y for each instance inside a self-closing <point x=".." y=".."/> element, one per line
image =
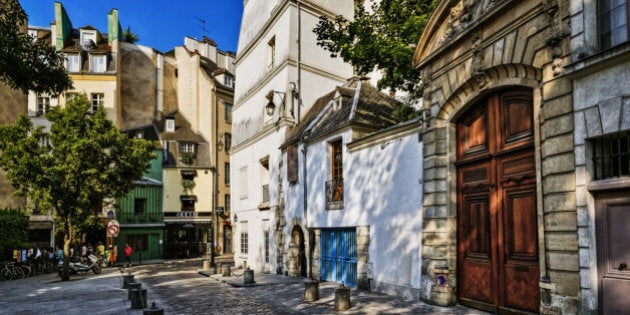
<point x="13" y="231"/>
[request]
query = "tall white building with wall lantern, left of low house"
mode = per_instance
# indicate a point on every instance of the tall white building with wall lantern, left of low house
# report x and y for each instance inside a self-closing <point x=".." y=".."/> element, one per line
<point x="280" y="65"/>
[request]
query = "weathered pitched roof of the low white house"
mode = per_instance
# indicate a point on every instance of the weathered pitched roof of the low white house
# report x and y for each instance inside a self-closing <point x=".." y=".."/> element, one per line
<point x="355" y="104"/>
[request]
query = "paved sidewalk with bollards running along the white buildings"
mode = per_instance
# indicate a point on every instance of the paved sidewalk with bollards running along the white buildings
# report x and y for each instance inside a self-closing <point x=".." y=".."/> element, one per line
<point x="289" y="292"/>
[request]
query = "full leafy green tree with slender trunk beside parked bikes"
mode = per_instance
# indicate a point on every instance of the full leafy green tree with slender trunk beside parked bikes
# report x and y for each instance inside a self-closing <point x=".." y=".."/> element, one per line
<point x="88" y="160"/>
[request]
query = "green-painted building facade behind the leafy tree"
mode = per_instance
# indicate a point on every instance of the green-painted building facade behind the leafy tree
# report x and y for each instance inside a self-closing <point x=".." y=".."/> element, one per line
<point x="140" y="217"/>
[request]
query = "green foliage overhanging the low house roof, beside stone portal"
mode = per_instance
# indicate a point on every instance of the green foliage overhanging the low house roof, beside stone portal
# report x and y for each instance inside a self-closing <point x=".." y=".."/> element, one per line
<point x="383" y="39"/>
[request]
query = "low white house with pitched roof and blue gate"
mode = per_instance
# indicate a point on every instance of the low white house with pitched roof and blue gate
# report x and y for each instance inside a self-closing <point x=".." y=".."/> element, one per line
<point x="357" y="172"/>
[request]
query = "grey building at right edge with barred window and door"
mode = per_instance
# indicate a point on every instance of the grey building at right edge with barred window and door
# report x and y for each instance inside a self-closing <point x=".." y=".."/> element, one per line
<point x="598" y="156"/>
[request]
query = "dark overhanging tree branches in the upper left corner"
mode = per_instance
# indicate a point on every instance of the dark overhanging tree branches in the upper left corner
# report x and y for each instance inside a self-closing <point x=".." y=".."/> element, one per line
<point x="28" y="64"/>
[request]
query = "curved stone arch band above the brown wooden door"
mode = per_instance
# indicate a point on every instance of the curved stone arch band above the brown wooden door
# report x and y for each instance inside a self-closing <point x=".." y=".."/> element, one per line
<point x="499" y="77"/>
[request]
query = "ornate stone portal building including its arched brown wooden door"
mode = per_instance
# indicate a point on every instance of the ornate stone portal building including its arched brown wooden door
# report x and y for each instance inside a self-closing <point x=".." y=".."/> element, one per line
<point x="499" y="201"/>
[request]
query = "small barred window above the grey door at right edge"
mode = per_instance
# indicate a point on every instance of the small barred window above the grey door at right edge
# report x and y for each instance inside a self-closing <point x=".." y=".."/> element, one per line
<point x="611" y="156"/>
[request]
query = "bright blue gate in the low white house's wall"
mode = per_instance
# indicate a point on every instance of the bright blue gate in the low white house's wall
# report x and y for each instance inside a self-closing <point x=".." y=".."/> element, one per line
<point x="339" y="255"/>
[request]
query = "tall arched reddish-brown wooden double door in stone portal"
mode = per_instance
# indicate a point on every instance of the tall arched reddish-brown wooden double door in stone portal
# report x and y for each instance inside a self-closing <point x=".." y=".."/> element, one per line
<point x="497" y="228"/>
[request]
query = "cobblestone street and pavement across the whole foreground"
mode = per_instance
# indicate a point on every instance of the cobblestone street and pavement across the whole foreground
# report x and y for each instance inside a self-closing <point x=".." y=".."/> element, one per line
<point x="178" y="287"/>
